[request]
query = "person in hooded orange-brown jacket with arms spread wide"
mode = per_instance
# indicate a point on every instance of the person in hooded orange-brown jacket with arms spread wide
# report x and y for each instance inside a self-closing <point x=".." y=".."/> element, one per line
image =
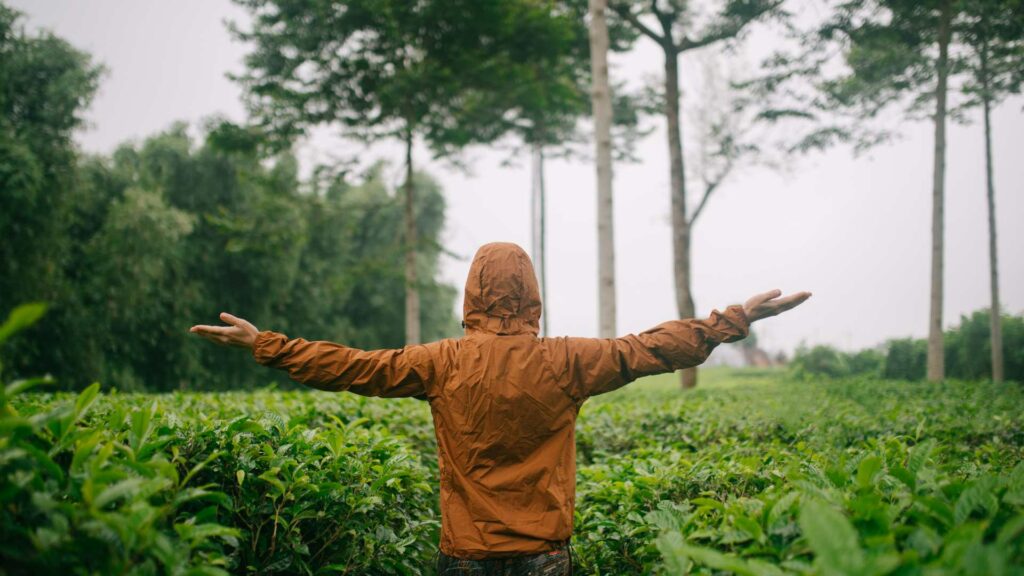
<point x="504" y="403"/>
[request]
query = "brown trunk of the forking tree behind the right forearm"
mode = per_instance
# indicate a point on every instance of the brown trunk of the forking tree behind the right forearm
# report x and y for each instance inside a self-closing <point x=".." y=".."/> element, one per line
<point x="680" y="221"/>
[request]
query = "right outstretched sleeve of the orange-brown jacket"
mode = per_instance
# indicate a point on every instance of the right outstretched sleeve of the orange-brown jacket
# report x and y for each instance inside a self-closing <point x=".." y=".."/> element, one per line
<point x="602" y="365"/>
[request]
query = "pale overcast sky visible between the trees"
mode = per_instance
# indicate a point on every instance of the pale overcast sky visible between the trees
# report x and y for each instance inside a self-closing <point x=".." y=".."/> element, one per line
<point x="854" y="231"/>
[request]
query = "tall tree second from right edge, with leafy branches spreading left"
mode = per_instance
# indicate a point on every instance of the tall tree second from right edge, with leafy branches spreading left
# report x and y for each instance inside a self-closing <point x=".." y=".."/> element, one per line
<point x="895" y="55"/>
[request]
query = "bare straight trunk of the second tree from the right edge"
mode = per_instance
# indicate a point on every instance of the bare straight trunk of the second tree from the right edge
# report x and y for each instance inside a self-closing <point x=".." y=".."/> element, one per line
<point x="936" y="357"/>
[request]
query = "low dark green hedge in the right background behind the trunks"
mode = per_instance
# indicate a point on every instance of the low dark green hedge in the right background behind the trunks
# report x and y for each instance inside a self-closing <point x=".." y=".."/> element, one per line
<point x="968" y="354"/>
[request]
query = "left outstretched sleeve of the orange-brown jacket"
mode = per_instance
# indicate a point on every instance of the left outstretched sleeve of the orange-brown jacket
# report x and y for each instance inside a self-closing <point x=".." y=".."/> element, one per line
<point x="327" y="366"/>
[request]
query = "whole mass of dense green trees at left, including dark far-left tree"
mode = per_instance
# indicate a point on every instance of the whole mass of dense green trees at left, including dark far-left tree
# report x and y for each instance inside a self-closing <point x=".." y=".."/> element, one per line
<point x="133" y="250"/>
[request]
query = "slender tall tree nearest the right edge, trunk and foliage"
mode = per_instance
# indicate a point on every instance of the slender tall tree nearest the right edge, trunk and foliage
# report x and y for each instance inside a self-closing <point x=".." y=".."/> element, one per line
<point x="994" y="33"/>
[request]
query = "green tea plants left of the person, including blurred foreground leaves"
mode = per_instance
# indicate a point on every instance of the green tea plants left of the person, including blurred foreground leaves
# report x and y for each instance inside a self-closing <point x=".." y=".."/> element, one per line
<point x="204" y="484"/>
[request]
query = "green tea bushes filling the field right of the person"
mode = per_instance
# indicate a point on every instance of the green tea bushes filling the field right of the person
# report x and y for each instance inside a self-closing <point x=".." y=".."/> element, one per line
<point x="856" y="477"/>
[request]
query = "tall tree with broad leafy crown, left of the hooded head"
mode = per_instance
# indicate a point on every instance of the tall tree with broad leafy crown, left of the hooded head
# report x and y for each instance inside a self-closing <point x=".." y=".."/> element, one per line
<point x="390" y="69"/>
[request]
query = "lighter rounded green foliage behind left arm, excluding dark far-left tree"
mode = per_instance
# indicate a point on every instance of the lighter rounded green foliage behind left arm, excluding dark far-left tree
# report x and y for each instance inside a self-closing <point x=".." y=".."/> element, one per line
<point x="166" y="234"/>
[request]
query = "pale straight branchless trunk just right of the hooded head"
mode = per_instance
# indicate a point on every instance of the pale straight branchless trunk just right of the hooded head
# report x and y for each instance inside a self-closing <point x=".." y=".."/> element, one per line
<point x="602" y="100"/>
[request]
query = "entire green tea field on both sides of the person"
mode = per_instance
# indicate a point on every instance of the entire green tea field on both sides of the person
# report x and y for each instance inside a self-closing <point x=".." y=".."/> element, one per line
<point x="751" y="474"/>
